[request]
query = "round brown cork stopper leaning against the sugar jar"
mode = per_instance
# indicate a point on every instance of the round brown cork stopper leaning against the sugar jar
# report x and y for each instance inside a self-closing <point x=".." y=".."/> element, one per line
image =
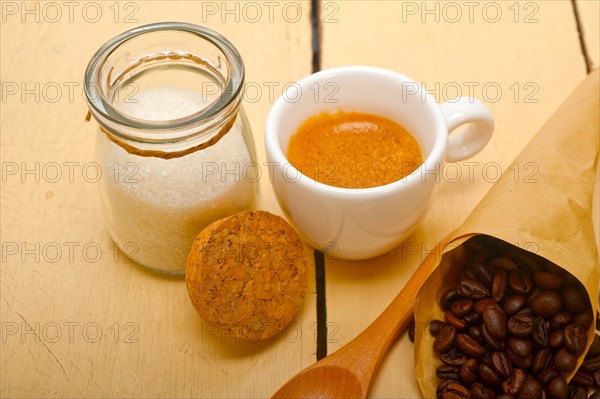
<point x="247" y="274"/>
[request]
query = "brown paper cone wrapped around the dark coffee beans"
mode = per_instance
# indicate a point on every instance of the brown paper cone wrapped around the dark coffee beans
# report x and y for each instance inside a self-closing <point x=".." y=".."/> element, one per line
<point x="547" y="212"/>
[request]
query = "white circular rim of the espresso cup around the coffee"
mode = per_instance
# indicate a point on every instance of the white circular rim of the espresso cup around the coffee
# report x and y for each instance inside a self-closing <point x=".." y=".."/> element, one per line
<point x="431" y="163"/>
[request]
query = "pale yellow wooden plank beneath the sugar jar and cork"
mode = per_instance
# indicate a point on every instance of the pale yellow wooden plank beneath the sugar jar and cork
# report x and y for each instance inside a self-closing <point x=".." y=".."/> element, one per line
<point x="85" y="324"/>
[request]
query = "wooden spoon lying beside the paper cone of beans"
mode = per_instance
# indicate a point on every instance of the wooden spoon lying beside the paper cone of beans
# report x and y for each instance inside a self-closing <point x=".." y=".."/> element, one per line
<point x="348" y="372"/>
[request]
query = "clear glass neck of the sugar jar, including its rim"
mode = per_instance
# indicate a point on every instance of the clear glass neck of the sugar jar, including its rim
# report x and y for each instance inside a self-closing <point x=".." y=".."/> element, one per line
<point x="165" y="87"/>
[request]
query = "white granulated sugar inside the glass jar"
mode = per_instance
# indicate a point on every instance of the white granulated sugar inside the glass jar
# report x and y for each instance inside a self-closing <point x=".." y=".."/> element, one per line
<point x="161" y="205"/>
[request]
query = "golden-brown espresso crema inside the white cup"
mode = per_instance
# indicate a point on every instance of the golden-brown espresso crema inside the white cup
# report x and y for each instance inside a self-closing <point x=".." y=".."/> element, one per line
<point x="353" y="150"/>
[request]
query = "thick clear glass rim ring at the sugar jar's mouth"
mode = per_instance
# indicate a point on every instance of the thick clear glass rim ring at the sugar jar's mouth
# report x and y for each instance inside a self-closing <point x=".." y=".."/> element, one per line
<point x="100" y="107"/>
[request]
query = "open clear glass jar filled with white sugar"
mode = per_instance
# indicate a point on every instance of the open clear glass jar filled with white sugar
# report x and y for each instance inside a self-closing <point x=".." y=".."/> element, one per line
<point x="173" y="141"/>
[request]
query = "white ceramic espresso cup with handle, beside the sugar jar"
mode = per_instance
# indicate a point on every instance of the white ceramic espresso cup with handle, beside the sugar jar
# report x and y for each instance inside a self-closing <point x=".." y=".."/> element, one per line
<point x="360" y="223"/>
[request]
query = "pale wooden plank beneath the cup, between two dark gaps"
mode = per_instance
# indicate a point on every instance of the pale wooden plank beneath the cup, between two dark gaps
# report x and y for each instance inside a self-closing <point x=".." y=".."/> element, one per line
<point x="521" y="58"/>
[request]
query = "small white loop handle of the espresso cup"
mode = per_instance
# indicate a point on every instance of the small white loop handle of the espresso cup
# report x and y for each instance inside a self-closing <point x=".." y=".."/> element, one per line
<point x="477" y="132"/>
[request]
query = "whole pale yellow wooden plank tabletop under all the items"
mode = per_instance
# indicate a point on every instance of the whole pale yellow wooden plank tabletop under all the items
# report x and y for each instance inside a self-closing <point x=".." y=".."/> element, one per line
<point x="77" y="320"/>
